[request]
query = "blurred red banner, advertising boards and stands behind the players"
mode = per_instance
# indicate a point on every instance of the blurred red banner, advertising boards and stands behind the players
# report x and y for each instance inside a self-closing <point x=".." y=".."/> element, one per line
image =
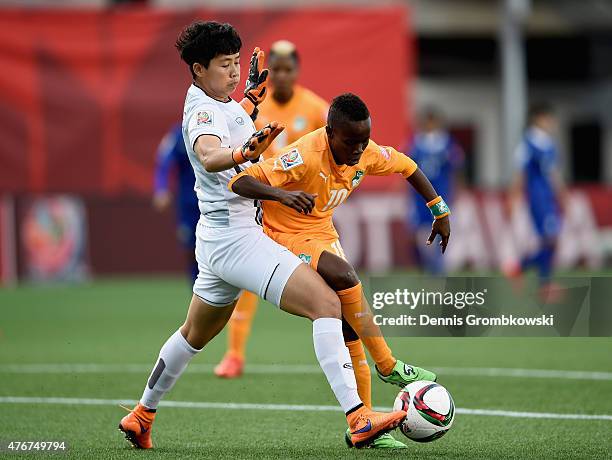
<point x="91" y="87"/>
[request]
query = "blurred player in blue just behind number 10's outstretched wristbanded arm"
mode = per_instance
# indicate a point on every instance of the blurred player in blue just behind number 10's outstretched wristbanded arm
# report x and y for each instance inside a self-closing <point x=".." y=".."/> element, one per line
<point x="439" y="157"/>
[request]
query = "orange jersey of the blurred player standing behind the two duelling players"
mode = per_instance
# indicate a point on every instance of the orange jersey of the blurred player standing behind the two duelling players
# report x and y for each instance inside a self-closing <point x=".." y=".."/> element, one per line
<point x="304" y="113"/>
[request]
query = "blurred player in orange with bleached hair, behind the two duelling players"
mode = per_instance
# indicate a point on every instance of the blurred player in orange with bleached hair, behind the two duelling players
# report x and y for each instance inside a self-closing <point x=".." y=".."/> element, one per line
<point x="301" y="111"/>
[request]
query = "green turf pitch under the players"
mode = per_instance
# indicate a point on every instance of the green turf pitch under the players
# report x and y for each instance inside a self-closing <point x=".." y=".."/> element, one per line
<point x="106" y="335"/>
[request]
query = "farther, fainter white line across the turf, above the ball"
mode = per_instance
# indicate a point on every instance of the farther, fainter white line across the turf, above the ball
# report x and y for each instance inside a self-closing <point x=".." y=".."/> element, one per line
<point x="299" y="369"/>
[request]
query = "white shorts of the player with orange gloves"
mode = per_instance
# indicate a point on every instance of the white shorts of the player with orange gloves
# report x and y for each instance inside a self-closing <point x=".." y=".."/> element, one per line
<point x="233" y="259"/>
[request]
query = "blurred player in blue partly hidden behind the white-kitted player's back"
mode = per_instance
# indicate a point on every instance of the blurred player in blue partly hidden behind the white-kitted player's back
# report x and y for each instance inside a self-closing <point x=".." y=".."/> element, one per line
<point x="172" y="159"/>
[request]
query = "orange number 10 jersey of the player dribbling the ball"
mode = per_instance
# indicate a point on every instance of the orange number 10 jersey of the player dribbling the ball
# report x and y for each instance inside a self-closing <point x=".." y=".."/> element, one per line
<point x="309" y="166"/>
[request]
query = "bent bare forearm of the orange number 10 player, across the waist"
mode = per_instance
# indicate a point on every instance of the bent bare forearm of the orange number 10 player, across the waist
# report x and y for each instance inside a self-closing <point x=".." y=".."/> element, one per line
<point x="249" y="187"/>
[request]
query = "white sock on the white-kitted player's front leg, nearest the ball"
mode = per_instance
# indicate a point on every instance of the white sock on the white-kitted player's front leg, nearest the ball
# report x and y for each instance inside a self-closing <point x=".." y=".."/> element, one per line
<point x="335" y="361"/>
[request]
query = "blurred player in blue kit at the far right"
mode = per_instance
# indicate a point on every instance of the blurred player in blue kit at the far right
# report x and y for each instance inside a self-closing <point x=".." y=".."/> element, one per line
<point x="538" y="180"/>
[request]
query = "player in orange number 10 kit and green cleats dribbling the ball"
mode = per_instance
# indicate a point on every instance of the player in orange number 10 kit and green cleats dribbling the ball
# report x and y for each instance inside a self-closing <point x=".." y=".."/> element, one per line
<point x="300" y="189"/>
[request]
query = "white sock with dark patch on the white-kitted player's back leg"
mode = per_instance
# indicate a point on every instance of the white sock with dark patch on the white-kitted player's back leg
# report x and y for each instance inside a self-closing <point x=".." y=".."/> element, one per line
<point x="173" y="359"/>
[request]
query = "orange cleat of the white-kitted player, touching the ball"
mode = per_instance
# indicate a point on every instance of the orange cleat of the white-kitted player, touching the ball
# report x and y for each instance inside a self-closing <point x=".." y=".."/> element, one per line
<point x="367" y="425"/>
